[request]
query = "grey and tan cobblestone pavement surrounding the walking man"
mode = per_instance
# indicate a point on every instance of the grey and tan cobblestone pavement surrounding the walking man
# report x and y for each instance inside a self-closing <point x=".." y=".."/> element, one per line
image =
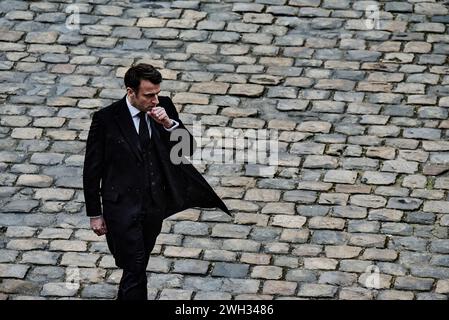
<point x="358" y="206"/>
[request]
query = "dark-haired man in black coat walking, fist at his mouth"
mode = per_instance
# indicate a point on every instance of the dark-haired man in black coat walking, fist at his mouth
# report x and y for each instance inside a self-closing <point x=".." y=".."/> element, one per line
<point x="133" y="177"/>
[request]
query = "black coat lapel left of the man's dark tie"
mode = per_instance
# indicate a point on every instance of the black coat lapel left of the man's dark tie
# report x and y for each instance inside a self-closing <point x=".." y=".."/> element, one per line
<point x="125" y="122"/>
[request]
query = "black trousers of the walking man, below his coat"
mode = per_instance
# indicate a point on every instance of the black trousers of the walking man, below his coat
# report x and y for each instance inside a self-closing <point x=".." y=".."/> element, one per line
<point x="133" y="284"/>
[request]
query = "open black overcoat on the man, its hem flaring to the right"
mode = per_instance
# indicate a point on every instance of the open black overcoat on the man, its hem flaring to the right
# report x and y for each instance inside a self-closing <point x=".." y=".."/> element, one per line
<point x="113" y="168"/>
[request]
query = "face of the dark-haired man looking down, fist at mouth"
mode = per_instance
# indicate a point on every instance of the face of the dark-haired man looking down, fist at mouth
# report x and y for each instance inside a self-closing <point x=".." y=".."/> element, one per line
<point x="147" y="96"/>
